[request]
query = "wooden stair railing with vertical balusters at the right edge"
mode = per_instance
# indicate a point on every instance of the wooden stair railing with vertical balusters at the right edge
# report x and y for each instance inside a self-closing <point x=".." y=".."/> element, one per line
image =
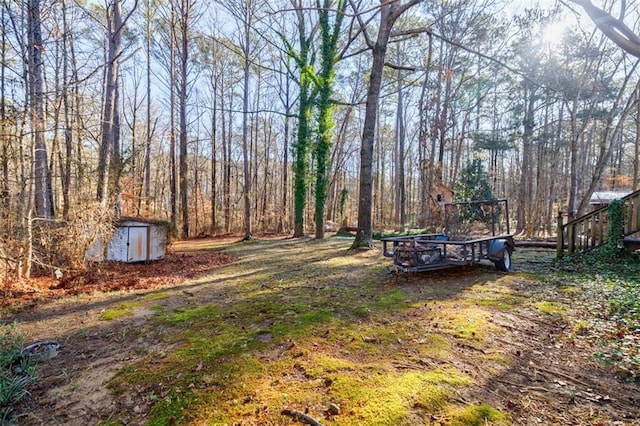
<point x="590" y="231"/>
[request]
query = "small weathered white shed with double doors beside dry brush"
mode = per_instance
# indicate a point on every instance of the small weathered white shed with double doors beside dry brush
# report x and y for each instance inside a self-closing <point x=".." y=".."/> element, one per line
<point x="133" y="240"/>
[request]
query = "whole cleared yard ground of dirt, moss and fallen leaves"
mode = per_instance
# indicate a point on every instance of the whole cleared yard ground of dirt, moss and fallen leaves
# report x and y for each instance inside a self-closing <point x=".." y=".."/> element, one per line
<point x="275" y="331"/>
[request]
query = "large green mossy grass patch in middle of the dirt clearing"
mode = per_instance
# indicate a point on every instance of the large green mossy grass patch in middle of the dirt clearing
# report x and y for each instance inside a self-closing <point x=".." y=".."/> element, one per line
<point x="332" y="336"/>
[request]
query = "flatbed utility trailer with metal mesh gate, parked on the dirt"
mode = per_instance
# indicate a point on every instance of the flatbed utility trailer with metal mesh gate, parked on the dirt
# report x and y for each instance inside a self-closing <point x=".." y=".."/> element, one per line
<point x="427" y="252"/>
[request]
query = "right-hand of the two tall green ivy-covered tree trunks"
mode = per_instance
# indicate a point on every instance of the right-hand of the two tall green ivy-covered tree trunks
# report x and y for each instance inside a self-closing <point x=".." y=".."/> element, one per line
<point x="326" y="123"/>
